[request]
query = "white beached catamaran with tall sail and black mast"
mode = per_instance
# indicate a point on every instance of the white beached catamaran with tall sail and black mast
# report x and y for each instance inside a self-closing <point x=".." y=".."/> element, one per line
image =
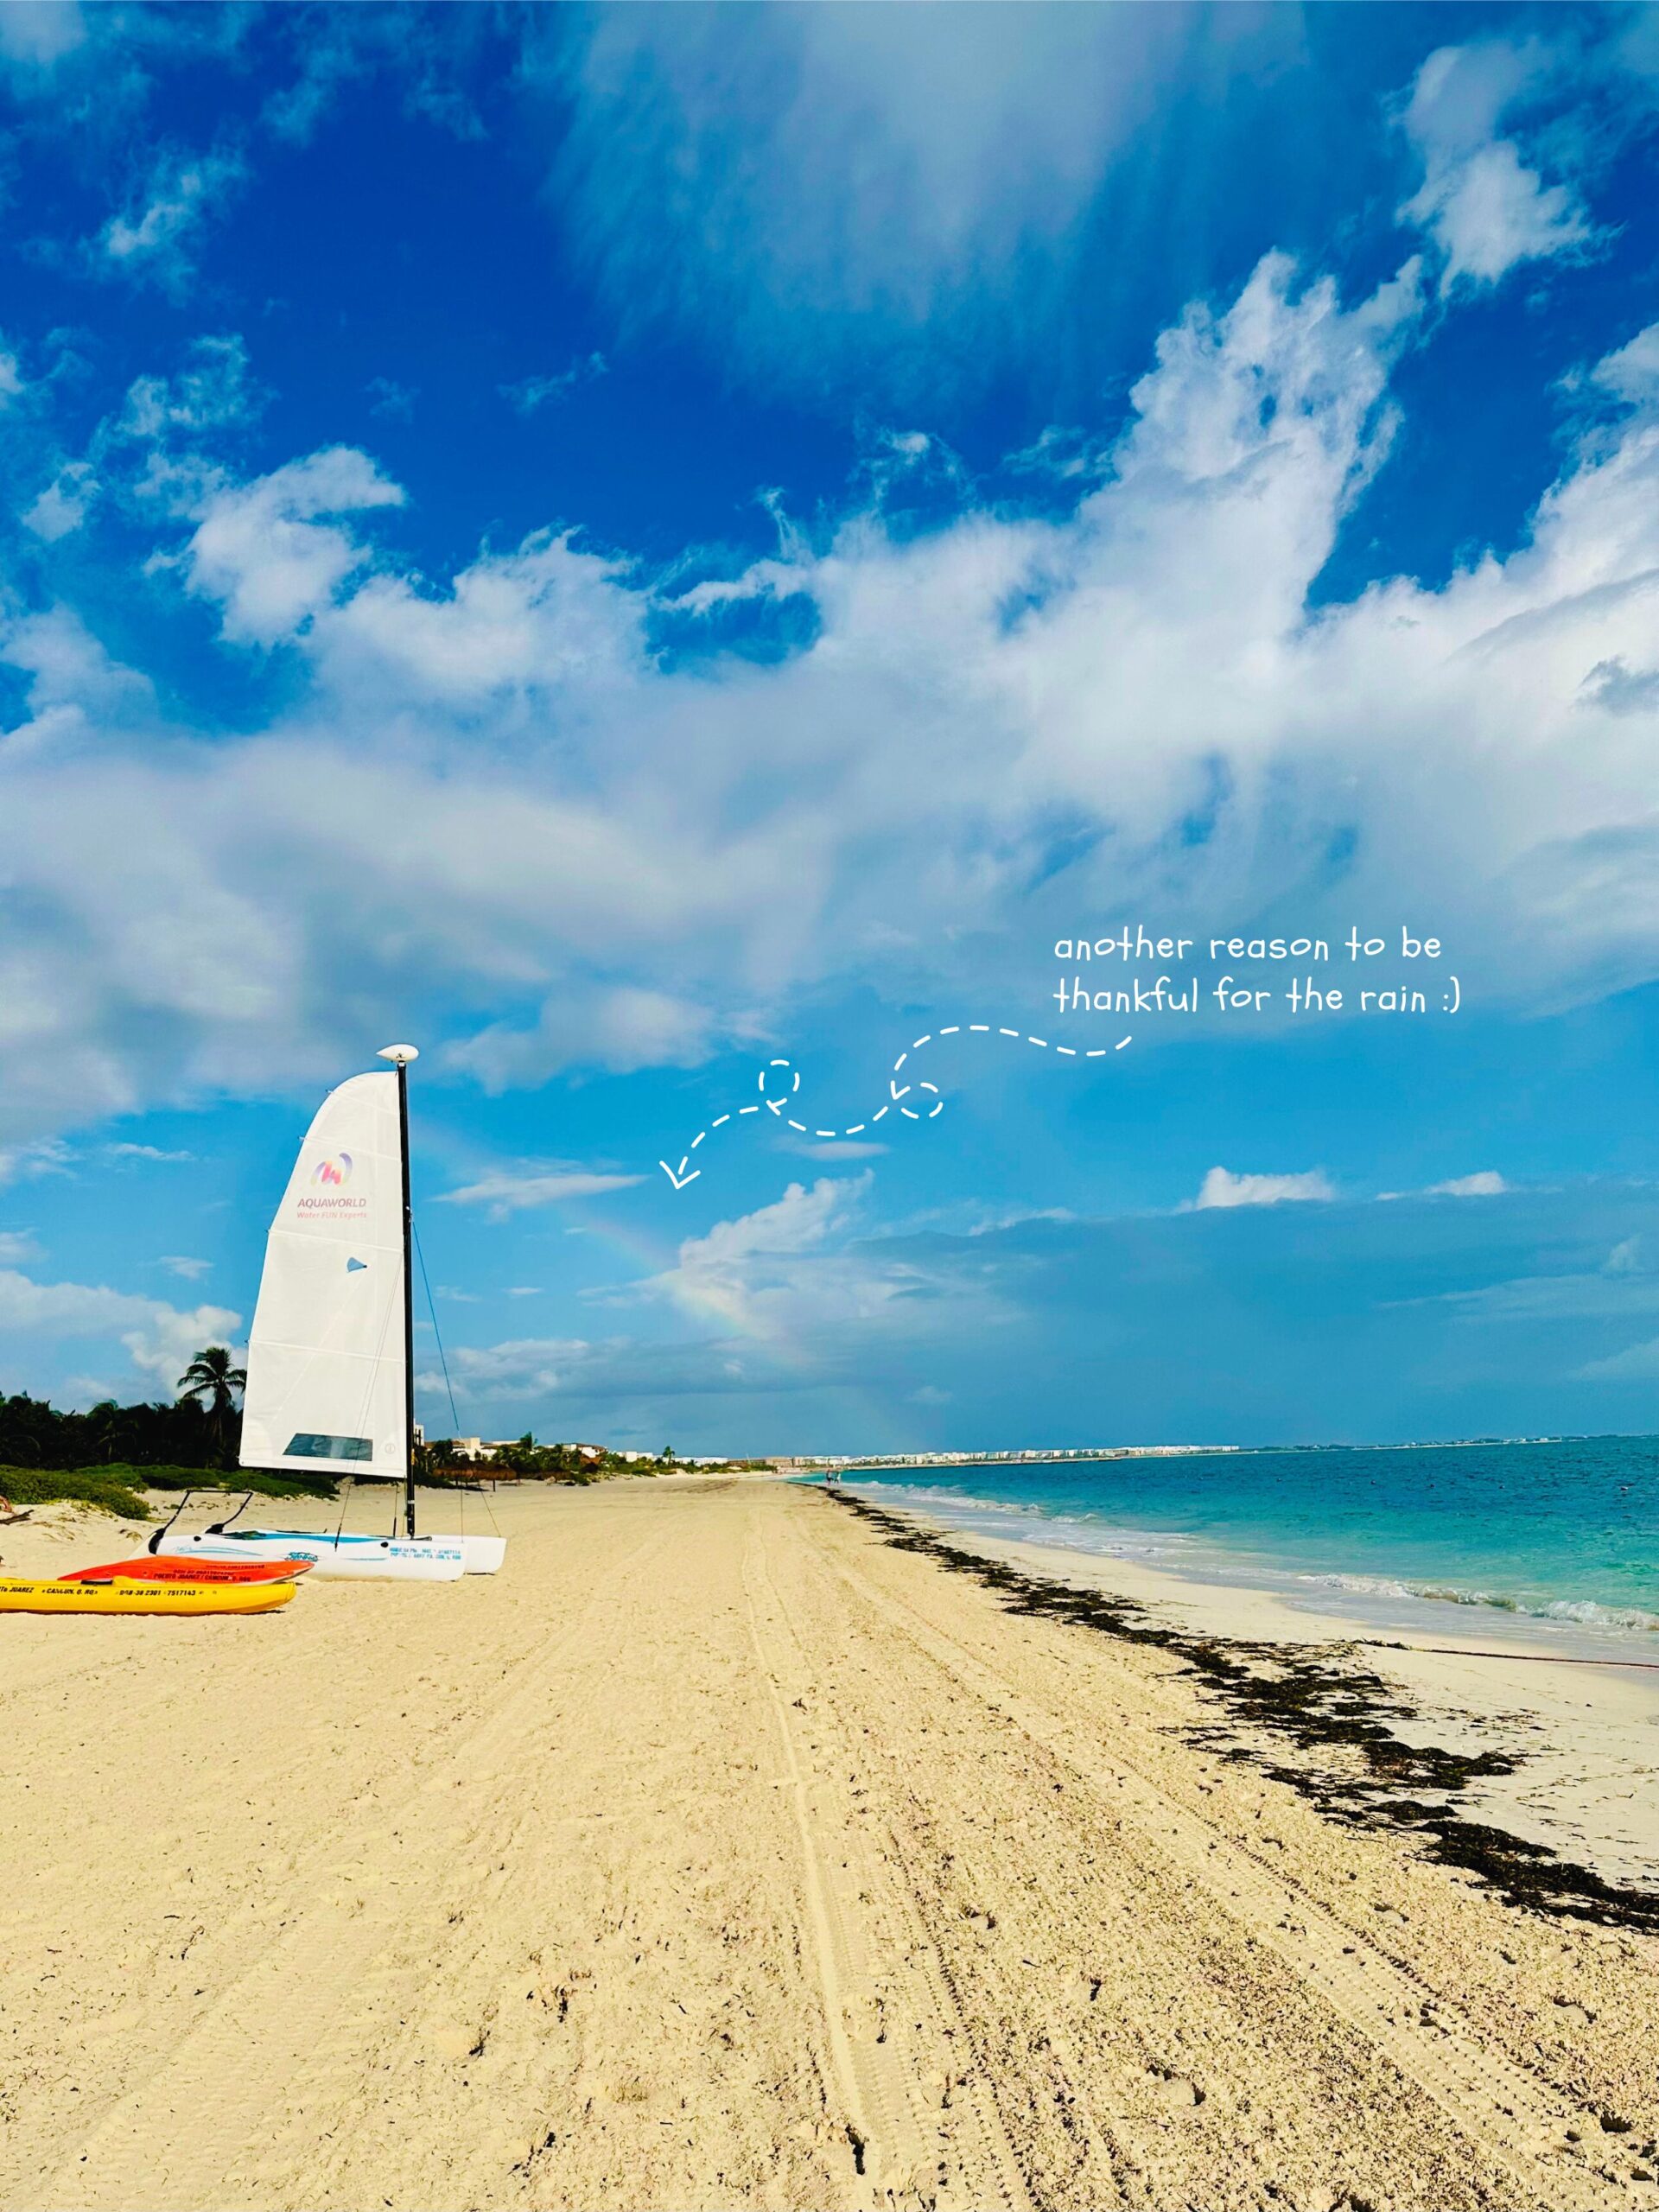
<point x="331" y="1355"/>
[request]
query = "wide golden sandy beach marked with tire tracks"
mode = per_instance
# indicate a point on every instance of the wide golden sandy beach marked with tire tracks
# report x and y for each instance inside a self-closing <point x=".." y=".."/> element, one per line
<point x="729" y="1853"/>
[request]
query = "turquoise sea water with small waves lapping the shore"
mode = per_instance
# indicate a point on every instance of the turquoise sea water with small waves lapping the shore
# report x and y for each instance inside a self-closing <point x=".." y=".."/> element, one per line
<point x="1558" y="1536"/>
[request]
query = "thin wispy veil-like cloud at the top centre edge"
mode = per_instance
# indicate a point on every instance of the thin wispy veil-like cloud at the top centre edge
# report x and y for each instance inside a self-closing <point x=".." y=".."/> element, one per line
<point x="804" y="191"/>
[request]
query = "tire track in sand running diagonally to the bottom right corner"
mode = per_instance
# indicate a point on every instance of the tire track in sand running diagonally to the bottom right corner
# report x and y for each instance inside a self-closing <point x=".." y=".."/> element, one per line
<point x="1514" y="2120"/>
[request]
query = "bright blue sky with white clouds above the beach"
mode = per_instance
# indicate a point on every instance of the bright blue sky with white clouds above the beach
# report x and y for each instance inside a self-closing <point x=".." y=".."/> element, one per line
<point x="689" y="559"/>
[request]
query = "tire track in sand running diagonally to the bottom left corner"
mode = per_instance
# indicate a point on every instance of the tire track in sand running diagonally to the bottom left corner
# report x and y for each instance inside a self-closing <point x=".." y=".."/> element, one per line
<point x="178" y="2140"/>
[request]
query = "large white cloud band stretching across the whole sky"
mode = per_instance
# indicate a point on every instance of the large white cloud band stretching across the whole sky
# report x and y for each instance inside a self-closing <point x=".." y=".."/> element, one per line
<point x="492" y="793"/>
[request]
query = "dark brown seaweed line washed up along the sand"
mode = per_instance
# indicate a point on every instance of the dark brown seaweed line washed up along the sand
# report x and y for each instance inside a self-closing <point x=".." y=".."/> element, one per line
<point x="1311" y="1700"/>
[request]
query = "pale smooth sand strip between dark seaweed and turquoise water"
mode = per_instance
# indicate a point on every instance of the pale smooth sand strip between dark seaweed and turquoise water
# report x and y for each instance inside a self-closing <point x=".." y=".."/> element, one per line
<point x="1565" y="1749"/>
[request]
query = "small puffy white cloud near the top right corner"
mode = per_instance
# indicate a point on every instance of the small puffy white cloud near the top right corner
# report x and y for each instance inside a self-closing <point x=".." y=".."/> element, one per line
<point x="1483" y="207"/>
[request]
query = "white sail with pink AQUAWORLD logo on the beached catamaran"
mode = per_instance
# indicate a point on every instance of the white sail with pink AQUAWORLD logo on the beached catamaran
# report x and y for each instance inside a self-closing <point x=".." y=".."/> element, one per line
<point x="326" y="1386"/>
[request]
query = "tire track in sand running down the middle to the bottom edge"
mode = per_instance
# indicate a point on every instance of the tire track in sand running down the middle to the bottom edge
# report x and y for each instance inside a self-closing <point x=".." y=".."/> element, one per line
<point x="895" y="2078"/>
